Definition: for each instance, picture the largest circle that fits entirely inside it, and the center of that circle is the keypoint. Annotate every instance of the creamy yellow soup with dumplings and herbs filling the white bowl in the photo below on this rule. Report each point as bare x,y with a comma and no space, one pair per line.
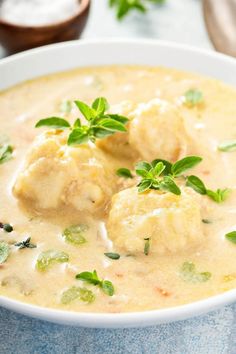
148,236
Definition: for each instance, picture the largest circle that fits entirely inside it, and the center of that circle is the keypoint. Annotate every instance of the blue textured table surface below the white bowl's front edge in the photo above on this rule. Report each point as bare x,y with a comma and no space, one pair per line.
210,334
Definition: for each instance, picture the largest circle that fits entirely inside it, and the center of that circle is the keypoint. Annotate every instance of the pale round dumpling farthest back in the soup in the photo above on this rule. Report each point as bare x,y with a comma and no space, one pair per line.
157,130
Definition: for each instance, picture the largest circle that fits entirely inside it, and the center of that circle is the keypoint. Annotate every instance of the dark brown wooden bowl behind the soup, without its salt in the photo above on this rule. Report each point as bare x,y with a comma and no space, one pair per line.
15,38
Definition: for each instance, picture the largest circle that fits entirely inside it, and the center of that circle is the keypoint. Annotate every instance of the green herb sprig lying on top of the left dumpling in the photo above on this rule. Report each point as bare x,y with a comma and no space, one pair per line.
99,123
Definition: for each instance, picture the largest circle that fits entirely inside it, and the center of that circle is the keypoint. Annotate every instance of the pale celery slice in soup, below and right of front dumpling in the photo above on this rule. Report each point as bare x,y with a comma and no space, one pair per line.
189,274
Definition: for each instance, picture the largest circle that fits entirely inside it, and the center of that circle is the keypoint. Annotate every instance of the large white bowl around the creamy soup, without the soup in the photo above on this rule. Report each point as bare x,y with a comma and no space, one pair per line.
65,56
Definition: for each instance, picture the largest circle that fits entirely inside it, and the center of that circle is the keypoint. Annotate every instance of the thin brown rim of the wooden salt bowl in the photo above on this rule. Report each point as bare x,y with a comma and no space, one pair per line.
83,6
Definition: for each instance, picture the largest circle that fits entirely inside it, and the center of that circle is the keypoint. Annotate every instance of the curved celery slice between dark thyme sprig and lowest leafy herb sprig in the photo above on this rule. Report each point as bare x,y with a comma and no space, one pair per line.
48,258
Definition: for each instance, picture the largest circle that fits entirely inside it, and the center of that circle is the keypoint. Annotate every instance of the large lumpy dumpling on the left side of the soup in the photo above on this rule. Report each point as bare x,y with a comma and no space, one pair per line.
56,175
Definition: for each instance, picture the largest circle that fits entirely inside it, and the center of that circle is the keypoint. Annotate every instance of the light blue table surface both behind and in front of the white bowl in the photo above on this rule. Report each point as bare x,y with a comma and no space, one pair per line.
181,21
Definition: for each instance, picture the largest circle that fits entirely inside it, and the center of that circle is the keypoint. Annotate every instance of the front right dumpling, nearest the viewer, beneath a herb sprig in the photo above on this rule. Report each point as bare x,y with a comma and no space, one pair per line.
171,222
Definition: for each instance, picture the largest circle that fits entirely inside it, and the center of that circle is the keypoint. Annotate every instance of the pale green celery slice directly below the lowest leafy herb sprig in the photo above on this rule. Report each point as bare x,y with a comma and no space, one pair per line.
75,293
